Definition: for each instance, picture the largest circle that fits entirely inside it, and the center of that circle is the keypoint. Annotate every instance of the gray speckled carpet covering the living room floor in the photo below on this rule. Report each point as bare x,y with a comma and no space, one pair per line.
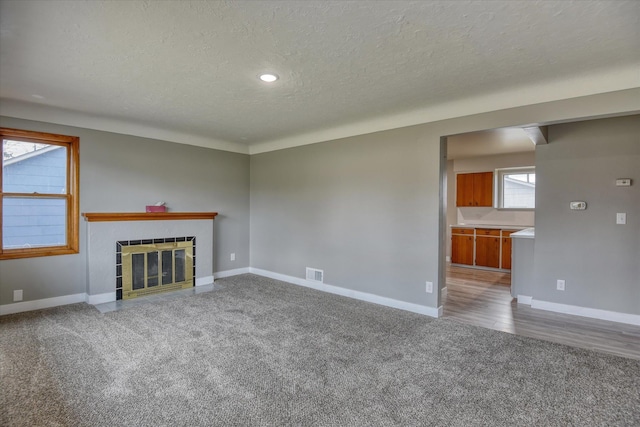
258,352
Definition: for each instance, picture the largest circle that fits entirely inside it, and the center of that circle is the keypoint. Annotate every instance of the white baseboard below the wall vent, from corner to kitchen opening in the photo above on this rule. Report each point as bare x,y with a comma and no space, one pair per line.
363,296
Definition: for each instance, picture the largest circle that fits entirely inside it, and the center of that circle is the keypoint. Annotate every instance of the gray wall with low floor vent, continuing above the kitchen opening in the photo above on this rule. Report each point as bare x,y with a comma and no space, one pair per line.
365,209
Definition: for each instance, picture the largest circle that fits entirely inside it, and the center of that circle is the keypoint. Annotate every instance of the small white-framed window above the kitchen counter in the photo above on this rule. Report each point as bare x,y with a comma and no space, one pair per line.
516,188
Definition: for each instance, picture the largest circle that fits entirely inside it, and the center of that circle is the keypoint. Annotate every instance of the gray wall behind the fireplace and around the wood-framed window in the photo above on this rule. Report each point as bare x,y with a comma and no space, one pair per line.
121,173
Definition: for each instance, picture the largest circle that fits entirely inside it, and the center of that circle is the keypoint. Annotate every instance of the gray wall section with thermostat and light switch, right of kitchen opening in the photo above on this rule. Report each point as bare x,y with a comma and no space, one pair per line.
599,260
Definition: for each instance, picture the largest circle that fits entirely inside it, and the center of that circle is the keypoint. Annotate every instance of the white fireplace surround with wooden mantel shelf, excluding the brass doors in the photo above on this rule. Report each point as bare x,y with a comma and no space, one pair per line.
105,229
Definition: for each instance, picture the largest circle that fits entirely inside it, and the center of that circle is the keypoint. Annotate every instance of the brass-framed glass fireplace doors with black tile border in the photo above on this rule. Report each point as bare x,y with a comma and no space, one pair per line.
150,266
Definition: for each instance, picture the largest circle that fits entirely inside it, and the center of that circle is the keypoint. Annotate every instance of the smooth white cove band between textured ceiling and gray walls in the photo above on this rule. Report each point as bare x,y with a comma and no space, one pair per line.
578,85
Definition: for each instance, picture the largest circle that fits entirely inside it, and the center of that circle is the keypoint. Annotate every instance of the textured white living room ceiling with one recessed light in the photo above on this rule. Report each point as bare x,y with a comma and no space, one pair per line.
186,71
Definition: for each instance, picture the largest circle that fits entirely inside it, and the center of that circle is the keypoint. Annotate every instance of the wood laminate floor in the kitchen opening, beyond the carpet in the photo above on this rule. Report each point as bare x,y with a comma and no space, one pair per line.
483,298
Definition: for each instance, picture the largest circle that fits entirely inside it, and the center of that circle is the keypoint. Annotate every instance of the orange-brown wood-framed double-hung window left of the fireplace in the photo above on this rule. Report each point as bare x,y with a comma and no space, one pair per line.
39,192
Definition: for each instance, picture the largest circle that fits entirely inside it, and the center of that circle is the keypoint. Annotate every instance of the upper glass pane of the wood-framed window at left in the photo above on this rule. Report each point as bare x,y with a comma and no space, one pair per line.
33,168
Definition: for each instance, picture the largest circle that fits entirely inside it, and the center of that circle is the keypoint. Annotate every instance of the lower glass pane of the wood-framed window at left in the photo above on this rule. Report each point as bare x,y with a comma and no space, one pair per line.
30,222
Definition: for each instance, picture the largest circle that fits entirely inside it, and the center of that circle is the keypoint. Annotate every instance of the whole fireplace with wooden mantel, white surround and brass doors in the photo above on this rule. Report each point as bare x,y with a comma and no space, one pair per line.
129,239
